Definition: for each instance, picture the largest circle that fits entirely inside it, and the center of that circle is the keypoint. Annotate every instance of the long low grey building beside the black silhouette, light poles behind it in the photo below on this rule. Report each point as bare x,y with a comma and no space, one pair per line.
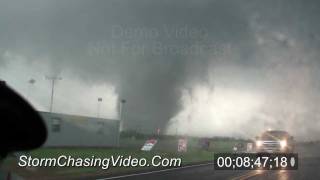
75,131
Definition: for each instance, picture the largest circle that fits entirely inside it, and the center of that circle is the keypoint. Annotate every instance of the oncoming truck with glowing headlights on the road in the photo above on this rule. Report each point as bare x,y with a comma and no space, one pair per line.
274,142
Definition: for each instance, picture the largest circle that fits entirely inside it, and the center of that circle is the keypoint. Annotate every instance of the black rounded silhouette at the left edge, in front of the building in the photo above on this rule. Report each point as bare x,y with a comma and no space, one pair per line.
21,127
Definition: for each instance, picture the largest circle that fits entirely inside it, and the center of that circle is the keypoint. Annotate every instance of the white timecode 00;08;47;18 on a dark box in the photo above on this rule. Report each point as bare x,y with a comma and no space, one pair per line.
250,161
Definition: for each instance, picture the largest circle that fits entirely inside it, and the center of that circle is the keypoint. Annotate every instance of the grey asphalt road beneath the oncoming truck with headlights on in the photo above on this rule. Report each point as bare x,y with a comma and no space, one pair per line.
309,168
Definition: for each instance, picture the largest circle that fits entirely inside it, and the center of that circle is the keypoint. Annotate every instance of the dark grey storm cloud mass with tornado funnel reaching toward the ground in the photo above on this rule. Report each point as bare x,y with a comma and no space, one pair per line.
146,48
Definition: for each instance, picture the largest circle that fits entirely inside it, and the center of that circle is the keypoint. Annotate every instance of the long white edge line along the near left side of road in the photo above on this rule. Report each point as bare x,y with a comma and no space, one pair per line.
156,171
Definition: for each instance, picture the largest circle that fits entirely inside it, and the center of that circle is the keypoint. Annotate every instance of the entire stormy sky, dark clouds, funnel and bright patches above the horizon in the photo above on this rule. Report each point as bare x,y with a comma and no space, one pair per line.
208,68
